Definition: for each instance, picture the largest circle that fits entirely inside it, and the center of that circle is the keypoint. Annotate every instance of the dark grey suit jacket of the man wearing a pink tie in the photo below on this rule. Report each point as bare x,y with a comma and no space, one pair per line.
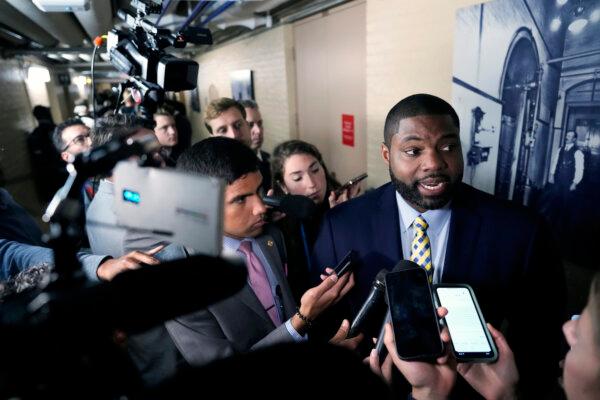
237,324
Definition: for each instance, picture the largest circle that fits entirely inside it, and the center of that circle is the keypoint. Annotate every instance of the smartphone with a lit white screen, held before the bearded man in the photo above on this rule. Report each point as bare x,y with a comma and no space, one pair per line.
471,340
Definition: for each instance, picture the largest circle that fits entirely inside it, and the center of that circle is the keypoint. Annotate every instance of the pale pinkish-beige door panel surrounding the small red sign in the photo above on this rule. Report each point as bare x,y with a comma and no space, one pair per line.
330,80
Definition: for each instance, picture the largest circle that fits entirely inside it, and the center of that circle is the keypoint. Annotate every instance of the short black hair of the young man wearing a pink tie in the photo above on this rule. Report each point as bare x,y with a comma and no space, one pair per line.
219,157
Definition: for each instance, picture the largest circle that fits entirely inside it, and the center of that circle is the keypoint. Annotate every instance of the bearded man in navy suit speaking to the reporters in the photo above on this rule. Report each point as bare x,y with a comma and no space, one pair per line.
502,250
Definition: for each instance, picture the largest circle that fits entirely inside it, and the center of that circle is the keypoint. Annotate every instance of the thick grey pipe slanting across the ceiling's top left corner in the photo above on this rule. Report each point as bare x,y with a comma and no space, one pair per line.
60,25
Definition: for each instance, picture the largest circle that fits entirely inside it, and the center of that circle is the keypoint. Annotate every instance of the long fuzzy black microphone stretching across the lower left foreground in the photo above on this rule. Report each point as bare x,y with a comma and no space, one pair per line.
134,300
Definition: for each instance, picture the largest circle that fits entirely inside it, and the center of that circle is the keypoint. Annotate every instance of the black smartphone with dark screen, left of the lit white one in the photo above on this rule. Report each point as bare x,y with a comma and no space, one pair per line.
414,317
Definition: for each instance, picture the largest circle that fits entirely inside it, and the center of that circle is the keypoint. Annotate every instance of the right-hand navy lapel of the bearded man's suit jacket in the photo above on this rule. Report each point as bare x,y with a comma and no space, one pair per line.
465,226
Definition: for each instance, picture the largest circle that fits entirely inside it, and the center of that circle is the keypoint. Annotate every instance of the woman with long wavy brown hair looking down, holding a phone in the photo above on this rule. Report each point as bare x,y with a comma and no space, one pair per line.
297,168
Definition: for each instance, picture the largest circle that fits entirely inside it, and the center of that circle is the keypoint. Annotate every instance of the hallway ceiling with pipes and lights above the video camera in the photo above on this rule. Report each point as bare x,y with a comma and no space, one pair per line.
64,39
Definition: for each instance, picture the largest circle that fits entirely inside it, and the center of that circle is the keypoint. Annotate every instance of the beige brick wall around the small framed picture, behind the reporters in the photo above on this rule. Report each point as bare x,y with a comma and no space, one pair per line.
269,56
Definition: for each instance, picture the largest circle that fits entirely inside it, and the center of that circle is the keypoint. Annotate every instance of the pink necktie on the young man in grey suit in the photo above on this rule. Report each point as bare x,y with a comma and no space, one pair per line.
259,281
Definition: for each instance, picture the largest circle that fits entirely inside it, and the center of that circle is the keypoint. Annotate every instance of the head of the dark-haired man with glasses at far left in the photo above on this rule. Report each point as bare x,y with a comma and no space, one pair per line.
71,137
